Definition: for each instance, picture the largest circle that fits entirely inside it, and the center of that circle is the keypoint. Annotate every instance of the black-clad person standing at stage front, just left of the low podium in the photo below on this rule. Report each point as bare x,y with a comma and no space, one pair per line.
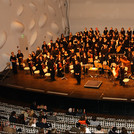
77,72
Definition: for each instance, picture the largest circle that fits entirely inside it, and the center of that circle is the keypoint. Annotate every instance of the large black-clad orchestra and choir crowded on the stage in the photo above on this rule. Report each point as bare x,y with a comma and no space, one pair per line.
83,48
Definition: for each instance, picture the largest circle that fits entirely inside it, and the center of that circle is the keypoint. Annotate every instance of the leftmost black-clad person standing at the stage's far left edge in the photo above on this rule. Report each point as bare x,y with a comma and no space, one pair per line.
13,59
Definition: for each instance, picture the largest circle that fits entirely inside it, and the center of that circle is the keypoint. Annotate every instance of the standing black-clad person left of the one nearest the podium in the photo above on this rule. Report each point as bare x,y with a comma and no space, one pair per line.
51,68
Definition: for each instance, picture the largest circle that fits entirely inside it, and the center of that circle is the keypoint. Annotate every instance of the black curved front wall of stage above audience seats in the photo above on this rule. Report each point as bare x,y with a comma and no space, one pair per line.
21,97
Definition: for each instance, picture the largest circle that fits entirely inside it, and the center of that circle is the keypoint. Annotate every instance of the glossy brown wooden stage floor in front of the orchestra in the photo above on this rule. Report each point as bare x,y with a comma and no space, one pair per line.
107,90
